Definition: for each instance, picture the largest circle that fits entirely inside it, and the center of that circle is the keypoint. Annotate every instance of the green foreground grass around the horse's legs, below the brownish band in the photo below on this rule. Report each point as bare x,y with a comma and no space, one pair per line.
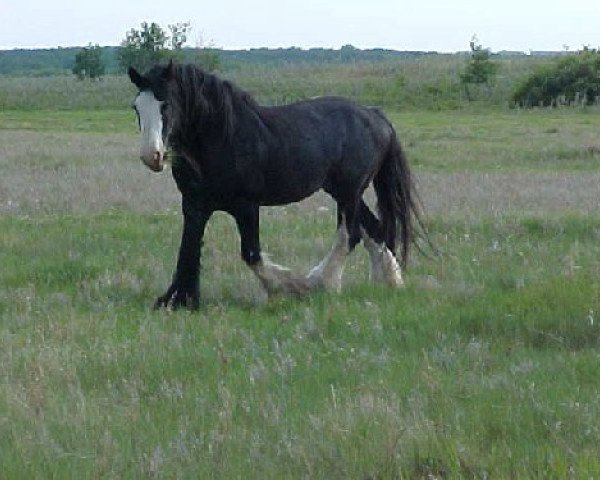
488,369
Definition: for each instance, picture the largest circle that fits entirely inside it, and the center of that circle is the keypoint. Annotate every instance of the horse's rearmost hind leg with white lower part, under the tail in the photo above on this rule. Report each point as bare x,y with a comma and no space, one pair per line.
384,264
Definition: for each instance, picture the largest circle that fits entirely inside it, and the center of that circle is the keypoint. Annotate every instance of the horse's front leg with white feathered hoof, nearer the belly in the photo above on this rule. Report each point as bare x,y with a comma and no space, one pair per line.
274,278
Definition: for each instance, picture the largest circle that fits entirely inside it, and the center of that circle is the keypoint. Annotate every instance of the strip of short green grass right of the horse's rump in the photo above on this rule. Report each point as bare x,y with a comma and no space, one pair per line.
499,141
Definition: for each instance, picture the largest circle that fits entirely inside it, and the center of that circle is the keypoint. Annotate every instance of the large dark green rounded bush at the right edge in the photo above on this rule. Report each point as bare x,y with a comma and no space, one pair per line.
574,78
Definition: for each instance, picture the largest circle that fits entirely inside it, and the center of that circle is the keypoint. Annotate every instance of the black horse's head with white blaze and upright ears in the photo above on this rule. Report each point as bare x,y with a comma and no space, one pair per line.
153,111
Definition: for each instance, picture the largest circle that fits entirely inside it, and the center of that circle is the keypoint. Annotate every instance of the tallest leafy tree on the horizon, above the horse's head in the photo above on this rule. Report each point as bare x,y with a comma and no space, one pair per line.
152,44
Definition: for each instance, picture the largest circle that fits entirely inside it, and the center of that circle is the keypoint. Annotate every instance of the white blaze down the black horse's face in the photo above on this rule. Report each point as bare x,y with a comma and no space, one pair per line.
152,149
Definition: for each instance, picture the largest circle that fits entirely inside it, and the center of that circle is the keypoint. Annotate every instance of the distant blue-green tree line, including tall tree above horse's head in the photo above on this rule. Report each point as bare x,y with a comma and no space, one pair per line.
151,43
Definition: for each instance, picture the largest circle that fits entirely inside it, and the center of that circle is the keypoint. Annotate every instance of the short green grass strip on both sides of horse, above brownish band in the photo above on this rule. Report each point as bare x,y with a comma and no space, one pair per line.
485,141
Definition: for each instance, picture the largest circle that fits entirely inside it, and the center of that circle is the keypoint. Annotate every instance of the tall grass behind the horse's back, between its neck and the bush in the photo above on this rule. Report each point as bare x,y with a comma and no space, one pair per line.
429,82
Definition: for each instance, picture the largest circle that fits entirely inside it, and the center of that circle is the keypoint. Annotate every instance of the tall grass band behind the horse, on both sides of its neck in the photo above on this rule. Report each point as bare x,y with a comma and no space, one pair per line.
429,82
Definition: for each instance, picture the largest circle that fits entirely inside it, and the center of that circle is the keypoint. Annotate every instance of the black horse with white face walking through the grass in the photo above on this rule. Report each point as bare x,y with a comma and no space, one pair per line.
233,155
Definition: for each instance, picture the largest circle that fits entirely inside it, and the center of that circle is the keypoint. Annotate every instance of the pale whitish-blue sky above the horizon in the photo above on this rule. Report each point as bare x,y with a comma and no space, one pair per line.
443,26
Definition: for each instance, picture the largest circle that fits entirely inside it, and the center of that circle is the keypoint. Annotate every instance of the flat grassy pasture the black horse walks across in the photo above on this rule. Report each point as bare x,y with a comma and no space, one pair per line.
484,366
